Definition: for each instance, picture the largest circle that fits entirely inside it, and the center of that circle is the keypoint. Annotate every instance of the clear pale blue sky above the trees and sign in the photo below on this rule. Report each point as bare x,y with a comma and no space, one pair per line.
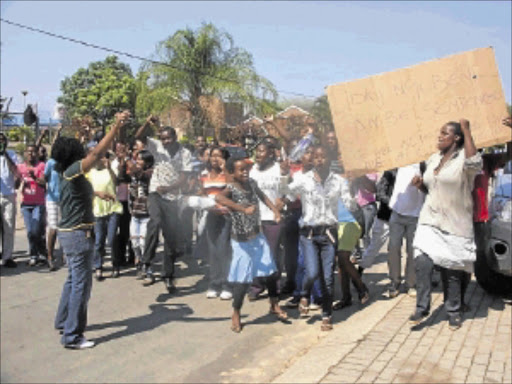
301,47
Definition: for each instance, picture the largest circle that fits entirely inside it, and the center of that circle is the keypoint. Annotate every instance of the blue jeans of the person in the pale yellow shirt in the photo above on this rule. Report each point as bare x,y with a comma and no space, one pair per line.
105,228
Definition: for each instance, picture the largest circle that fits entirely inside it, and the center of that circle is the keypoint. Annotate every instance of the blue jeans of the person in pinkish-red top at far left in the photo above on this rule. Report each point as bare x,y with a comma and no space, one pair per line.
34,217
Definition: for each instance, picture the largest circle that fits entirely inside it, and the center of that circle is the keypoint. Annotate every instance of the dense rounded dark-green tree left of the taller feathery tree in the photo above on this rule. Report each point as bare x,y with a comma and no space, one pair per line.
100,90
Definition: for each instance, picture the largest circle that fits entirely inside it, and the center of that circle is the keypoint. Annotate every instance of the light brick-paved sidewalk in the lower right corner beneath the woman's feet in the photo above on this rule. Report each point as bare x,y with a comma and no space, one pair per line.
393,351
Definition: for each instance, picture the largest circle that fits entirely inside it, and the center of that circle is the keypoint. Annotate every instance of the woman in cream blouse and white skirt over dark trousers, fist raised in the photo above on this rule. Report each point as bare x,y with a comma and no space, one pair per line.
445,236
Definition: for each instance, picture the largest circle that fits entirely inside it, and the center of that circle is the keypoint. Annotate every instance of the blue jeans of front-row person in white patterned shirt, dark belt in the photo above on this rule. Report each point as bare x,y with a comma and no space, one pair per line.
319,253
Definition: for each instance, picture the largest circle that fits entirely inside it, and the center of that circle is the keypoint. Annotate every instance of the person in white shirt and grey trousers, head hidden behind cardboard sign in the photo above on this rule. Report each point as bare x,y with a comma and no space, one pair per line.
406,202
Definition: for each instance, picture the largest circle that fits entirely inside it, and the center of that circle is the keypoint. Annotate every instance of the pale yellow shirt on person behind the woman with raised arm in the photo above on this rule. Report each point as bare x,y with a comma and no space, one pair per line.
102,182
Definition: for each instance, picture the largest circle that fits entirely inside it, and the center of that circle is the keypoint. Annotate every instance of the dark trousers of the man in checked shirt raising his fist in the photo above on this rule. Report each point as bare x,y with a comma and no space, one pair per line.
163,214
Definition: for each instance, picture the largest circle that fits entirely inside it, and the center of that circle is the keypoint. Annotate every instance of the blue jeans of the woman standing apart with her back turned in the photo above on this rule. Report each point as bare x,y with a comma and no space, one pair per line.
72,311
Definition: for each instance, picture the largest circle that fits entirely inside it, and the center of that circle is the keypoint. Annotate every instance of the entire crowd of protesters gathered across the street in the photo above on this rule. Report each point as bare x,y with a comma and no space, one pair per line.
280,216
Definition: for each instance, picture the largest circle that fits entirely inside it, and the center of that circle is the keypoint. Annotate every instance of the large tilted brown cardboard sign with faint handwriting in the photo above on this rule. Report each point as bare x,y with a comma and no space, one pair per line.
393,119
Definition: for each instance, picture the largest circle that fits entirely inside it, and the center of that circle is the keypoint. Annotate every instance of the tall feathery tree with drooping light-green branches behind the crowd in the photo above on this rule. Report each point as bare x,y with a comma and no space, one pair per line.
206,62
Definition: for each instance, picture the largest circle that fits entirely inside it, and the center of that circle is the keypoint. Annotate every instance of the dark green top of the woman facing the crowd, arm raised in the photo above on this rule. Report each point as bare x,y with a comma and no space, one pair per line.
76,196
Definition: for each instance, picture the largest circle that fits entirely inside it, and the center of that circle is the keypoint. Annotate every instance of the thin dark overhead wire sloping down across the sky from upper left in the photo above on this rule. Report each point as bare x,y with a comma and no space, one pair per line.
136,57
